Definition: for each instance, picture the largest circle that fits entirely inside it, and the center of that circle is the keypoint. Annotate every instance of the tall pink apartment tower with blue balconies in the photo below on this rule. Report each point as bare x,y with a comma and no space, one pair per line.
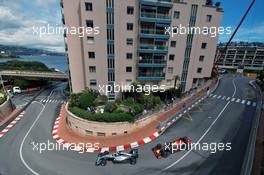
134,44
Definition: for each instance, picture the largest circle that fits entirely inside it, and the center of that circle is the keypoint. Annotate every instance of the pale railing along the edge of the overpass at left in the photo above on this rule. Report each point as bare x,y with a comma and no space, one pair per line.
34,74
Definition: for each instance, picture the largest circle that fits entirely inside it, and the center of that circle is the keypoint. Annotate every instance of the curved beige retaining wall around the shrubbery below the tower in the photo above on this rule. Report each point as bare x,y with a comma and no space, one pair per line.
91,128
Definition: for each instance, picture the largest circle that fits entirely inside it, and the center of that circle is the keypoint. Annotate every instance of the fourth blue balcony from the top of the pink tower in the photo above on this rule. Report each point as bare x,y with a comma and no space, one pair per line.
145,48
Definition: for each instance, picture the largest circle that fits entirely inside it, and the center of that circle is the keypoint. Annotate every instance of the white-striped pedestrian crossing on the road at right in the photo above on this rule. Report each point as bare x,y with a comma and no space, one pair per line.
235,100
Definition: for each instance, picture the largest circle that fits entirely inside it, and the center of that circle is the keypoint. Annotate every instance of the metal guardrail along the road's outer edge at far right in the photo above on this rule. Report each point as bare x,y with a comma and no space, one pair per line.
250,151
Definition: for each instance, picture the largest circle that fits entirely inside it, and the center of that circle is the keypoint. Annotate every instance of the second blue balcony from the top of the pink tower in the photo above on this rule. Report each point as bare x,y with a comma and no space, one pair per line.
155,17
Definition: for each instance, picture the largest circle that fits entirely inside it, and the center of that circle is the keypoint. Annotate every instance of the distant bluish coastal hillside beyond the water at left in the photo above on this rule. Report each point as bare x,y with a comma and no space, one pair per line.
19,50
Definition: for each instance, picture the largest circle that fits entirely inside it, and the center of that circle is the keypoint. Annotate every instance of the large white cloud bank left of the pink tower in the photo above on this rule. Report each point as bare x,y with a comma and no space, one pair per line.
18,30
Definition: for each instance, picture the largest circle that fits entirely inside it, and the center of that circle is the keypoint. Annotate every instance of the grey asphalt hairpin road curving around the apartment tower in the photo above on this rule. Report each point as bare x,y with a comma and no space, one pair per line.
224,117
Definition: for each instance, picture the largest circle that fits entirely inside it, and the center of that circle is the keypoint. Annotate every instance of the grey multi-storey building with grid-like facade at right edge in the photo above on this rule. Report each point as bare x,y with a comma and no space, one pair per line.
246,57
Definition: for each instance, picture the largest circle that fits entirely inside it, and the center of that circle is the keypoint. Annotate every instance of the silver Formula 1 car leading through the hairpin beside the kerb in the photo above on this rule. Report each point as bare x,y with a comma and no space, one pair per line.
118,157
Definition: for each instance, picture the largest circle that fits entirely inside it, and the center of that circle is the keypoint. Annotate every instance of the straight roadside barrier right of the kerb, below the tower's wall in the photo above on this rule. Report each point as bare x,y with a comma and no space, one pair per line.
187,106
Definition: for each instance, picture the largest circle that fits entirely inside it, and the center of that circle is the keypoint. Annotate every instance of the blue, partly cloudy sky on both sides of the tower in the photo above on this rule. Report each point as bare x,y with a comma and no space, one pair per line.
18,17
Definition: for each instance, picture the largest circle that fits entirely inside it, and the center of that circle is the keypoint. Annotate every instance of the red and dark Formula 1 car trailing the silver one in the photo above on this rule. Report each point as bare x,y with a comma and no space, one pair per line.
163,151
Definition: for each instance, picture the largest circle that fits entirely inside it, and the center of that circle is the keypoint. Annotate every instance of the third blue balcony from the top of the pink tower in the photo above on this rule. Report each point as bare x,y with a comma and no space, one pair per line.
153,33
